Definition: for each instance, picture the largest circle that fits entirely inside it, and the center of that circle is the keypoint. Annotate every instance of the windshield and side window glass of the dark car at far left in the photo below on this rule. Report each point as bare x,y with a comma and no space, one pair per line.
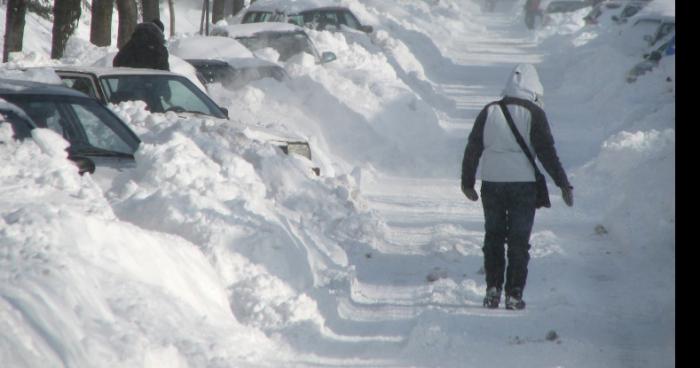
84,122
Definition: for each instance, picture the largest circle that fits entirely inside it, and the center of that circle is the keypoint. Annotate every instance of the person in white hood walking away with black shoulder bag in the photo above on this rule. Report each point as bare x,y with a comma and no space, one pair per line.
508,186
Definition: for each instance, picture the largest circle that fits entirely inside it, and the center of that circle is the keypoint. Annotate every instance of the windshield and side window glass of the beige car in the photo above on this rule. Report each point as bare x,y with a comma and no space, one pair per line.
161,93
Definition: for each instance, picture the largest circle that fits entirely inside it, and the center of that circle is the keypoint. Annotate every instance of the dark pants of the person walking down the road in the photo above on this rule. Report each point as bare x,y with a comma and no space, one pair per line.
509,213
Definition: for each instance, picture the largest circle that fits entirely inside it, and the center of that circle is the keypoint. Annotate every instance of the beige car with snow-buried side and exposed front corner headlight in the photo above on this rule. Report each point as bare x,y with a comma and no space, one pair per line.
164,91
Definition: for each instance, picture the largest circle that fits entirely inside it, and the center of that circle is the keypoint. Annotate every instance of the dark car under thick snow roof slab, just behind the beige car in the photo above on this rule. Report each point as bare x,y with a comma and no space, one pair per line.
224,60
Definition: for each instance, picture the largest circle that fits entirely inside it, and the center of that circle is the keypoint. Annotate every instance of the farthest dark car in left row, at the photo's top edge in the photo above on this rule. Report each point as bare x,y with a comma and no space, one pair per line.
319,15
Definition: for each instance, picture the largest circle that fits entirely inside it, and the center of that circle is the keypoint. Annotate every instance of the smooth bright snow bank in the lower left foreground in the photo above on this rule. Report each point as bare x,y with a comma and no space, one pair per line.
81,288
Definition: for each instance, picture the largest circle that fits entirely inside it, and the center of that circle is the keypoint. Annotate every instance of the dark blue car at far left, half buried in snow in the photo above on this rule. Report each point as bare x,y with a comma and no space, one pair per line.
97,137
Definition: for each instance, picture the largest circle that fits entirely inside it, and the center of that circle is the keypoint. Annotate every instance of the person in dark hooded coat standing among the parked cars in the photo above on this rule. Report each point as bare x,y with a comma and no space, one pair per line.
145,49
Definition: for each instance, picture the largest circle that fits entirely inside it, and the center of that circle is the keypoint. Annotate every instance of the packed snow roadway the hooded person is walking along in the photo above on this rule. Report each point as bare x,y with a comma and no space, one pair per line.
416,298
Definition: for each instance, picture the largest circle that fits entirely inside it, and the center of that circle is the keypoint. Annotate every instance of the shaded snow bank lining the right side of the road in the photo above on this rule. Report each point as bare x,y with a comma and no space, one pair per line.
627,130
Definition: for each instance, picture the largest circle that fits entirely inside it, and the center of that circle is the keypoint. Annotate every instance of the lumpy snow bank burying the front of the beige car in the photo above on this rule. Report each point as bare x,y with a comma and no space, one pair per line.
260,216
